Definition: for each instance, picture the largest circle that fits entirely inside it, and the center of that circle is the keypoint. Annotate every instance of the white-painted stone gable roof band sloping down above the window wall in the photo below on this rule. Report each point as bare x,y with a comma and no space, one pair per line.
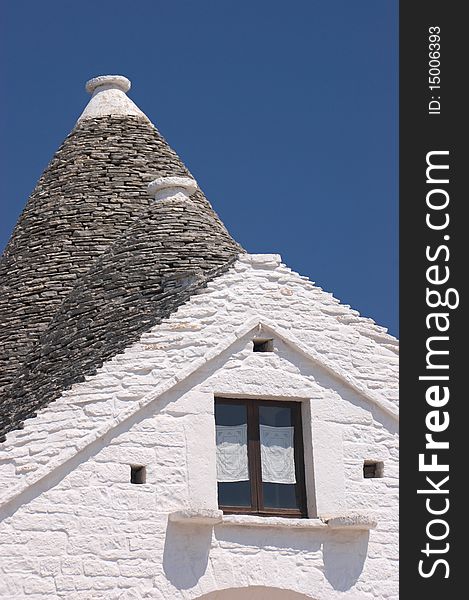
252,299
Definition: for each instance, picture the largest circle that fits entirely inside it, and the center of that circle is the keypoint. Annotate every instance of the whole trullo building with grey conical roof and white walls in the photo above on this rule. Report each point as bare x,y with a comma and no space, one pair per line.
181,419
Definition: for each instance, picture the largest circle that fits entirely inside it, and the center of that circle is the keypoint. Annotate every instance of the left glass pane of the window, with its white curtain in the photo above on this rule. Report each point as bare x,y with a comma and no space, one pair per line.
234,488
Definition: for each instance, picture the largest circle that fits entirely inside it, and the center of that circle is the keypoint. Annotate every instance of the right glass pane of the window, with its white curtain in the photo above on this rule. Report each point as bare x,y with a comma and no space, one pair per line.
277,456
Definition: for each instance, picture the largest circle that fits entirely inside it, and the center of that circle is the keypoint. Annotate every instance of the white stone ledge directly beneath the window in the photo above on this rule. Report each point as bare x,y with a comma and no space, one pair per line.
355,522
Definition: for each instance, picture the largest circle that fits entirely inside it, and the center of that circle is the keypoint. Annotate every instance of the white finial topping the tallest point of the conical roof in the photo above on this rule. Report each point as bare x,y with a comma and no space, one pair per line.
109,98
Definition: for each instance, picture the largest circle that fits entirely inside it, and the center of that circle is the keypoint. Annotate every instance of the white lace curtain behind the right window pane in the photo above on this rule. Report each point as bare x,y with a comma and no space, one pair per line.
277,454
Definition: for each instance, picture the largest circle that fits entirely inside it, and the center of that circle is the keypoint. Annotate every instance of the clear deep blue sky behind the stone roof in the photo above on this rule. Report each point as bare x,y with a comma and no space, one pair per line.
286,114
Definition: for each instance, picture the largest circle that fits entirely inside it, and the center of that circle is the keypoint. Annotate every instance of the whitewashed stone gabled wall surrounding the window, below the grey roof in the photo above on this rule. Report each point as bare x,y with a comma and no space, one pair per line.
74,527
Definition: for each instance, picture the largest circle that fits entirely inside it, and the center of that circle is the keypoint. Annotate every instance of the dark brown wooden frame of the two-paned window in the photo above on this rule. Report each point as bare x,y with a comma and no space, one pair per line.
254,460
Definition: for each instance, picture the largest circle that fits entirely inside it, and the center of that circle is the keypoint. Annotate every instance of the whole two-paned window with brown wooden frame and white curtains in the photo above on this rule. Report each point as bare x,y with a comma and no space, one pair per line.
260,466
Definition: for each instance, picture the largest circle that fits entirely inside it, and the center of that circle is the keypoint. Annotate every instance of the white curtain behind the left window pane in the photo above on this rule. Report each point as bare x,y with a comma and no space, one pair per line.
232,453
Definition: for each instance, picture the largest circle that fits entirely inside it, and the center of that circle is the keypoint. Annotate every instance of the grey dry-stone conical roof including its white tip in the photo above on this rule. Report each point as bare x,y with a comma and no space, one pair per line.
93,261
